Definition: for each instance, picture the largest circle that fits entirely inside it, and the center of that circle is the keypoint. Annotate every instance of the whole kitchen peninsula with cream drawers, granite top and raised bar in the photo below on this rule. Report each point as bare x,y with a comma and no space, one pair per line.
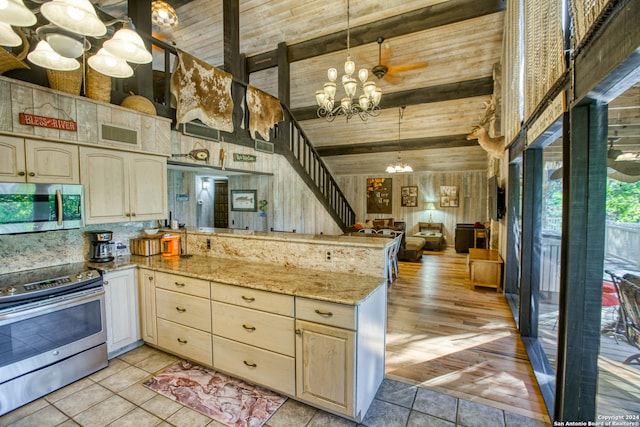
277,324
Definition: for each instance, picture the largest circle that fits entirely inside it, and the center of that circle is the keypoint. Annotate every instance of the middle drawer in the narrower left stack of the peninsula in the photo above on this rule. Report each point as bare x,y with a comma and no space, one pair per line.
184,309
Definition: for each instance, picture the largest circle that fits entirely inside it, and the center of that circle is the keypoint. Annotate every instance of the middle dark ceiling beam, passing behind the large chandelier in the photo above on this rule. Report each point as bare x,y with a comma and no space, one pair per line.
439,93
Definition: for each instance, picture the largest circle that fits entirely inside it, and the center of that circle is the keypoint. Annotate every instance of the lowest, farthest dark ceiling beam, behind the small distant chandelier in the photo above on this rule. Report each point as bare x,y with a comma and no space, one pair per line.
447,141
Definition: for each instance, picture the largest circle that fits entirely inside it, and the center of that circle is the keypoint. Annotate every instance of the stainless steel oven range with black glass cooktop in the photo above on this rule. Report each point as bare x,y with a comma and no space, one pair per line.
52,331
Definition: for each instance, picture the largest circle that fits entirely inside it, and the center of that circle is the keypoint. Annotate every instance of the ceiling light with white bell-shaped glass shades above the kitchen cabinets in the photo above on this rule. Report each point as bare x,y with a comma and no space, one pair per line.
65,38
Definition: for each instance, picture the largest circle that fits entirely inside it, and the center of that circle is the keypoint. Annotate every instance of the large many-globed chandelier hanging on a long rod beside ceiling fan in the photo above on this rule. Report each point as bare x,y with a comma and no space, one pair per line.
367,103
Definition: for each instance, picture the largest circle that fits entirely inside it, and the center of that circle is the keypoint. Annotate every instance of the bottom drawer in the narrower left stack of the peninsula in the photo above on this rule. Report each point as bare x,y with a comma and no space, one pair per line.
184,341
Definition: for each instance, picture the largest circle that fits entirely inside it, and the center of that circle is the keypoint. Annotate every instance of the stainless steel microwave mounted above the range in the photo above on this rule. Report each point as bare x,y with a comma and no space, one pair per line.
26,208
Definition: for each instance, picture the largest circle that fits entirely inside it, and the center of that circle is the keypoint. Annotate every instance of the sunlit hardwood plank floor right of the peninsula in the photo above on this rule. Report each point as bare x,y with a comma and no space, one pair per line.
445,336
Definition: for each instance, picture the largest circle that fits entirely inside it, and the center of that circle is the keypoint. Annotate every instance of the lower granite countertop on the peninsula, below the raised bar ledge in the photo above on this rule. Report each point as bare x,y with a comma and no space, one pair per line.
340,288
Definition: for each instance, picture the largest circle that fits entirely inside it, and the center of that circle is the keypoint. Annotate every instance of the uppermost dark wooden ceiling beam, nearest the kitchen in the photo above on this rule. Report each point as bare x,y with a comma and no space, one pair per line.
418,20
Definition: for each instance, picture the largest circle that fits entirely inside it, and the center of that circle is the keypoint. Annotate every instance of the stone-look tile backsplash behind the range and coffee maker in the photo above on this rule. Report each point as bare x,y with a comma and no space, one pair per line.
20,252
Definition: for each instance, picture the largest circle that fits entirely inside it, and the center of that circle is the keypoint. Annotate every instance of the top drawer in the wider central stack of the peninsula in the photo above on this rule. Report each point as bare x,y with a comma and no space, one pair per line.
253,298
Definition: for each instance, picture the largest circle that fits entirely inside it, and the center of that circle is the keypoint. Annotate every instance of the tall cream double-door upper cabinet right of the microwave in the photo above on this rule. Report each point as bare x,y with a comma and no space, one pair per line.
123,186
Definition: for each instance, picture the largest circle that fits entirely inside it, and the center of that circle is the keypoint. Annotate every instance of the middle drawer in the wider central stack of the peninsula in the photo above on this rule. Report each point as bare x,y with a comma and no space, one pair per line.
257,328
